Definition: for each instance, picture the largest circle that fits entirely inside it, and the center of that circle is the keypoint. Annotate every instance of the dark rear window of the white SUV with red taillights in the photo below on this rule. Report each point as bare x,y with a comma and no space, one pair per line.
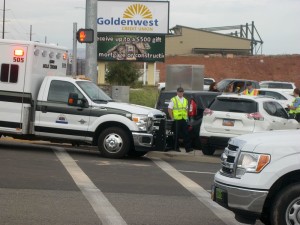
234,105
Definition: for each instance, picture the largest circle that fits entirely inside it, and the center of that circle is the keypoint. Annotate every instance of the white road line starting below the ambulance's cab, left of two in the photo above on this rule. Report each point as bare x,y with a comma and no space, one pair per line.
102,207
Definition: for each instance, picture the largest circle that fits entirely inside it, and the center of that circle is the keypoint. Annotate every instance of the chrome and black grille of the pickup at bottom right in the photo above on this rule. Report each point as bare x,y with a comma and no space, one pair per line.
228,160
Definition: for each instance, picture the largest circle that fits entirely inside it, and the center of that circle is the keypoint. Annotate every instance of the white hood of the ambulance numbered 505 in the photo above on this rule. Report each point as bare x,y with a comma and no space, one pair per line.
131,108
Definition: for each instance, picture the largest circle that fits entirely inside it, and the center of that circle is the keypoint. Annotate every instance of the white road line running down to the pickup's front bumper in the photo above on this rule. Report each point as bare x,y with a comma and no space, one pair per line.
225,215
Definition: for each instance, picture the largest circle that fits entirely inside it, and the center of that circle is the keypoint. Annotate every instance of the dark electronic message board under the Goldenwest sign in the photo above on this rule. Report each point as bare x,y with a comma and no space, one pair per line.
131,47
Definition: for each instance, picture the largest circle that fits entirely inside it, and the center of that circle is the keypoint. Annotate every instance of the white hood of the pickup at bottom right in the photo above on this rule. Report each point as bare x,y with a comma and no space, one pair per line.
265,141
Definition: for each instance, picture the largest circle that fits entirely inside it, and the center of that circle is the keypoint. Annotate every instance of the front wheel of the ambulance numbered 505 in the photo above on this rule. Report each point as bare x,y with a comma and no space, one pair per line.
114,143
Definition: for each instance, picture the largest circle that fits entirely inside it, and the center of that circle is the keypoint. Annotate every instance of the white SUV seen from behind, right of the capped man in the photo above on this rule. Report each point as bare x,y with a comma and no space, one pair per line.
232,115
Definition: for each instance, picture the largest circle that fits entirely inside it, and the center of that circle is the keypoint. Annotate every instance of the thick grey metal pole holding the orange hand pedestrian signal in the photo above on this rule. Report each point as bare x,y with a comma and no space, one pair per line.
91,49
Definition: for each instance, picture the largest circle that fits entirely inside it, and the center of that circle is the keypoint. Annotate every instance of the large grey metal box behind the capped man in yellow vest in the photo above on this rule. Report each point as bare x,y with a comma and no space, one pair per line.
189,77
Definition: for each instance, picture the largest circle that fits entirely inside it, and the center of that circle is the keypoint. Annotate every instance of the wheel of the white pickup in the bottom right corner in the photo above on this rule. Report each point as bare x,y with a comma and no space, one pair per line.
286,207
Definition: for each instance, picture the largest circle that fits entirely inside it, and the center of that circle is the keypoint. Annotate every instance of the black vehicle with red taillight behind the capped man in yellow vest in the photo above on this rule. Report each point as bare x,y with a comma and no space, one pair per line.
198,101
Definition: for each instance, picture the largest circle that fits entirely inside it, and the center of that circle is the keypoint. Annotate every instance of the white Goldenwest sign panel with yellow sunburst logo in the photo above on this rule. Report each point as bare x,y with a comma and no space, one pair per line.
133,17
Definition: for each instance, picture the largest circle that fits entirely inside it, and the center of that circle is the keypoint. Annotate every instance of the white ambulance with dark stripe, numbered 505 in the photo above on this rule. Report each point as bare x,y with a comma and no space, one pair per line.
39,102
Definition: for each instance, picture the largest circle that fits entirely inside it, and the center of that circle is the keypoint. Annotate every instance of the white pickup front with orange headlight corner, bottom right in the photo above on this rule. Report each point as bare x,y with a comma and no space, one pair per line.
260,177
